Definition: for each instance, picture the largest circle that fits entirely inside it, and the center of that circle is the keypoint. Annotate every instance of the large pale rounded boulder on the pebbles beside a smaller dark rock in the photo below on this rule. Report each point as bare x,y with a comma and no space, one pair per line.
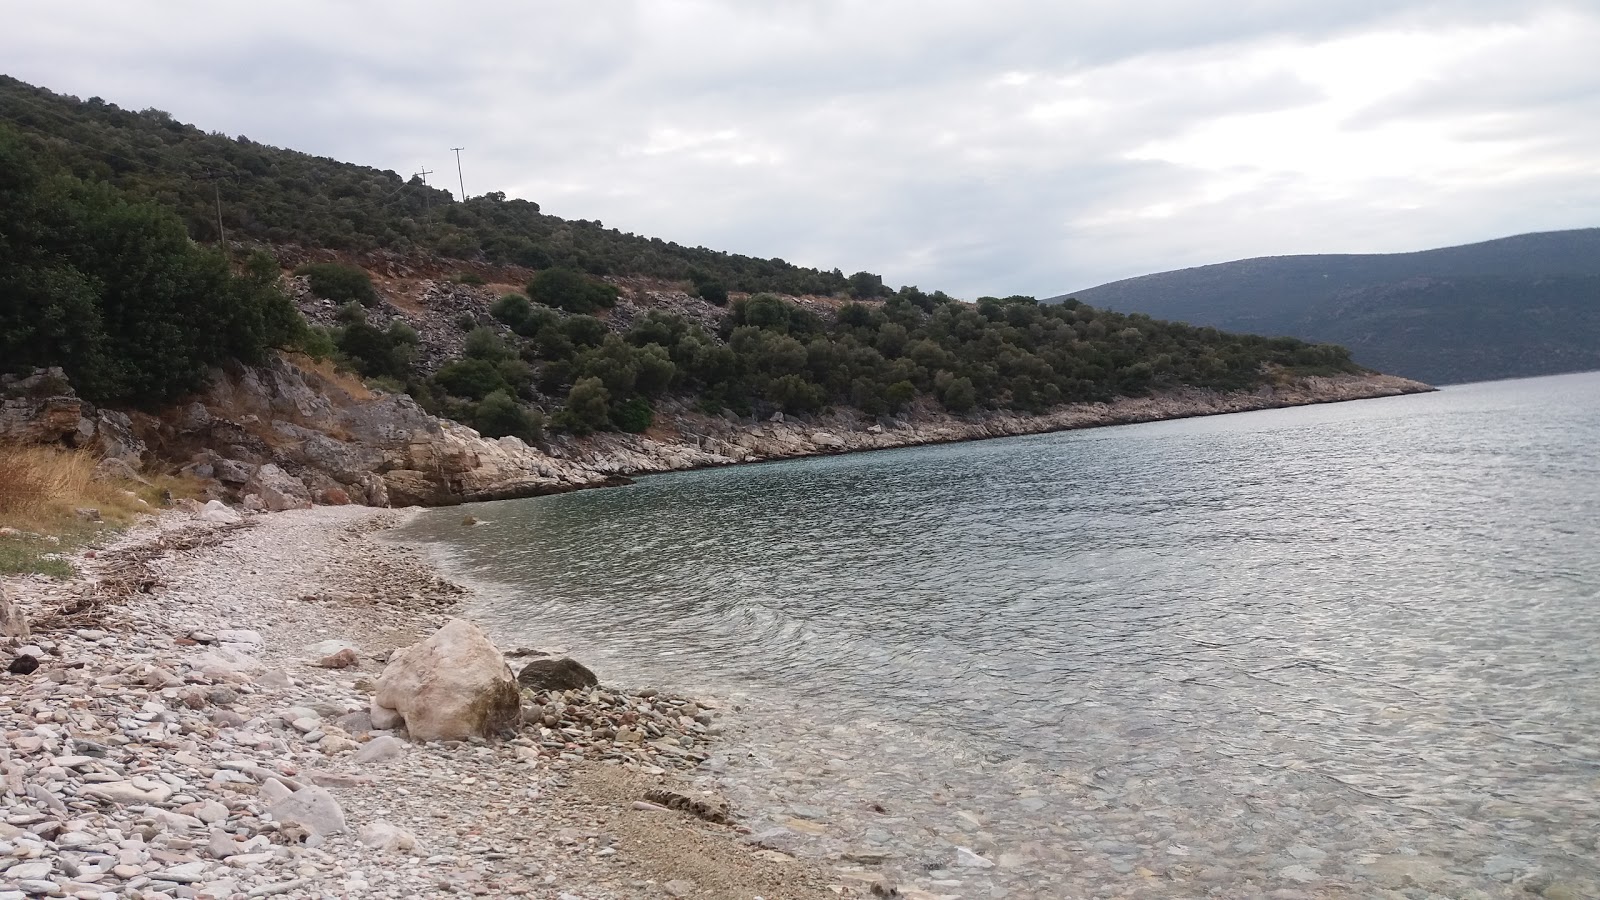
452,686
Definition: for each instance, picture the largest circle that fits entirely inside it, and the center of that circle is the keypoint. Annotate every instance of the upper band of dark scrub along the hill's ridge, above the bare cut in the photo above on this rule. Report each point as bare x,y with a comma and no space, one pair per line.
278,196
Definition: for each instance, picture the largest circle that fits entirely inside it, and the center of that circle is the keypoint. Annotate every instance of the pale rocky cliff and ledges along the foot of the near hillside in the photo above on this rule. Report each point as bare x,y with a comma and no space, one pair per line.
287,435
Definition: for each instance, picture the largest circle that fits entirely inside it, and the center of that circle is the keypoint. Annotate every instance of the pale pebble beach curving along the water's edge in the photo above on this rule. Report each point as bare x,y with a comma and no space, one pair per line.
188,733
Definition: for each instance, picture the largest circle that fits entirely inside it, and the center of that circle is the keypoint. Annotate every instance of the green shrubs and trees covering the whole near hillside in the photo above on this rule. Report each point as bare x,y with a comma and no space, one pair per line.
105,283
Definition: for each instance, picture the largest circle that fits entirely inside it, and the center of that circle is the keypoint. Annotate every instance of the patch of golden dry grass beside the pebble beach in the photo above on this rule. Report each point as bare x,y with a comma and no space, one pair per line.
44,488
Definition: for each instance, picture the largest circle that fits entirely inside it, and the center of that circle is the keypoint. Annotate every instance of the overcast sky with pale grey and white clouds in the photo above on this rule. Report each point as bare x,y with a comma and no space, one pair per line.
998,148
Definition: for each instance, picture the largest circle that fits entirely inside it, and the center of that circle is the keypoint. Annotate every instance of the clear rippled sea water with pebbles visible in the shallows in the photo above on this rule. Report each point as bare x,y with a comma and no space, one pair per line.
1346,651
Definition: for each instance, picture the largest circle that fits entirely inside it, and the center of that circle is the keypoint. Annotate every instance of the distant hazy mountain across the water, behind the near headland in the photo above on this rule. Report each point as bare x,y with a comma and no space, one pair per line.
1526,305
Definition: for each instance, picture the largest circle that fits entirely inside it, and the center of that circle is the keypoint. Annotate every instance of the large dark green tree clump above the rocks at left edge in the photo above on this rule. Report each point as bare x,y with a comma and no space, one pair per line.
116,294
